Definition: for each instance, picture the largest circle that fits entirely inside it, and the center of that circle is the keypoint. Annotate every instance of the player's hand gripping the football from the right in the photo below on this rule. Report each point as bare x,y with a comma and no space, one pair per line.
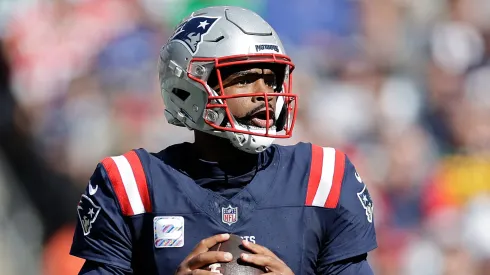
265,258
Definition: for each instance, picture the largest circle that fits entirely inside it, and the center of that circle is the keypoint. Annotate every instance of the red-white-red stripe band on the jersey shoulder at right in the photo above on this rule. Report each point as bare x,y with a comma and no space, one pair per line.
326,175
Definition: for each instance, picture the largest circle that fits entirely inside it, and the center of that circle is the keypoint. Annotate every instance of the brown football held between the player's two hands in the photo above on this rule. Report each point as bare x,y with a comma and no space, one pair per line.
236,266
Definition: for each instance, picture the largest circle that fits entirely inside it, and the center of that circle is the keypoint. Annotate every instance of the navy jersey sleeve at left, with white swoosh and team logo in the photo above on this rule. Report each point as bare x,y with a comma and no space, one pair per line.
101,235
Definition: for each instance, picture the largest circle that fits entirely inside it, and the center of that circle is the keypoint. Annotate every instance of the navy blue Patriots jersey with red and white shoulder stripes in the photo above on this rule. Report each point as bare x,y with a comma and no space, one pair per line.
308,205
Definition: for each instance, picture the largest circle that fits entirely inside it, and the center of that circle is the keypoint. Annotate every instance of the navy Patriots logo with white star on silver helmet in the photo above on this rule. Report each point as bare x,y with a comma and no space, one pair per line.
191,32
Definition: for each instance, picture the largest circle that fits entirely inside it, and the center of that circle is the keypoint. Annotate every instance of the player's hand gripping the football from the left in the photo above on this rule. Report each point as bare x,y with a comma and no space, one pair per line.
201,256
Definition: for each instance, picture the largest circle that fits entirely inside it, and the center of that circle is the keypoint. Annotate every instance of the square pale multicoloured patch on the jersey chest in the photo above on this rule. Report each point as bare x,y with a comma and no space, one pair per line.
168,231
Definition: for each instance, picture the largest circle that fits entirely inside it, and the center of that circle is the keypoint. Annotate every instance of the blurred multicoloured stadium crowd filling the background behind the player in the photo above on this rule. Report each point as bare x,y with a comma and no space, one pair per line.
399,85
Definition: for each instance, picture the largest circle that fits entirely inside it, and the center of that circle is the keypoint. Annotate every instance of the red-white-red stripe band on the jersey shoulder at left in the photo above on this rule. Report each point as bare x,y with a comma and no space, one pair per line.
129,183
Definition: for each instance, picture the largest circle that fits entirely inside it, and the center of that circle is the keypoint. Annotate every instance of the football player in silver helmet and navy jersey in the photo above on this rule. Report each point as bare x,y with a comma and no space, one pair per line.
299,209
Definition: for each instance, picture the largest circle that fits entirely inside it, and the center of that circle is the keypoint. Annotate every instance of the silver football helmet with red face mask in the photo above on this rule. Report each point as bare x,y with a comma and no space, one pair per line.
202,45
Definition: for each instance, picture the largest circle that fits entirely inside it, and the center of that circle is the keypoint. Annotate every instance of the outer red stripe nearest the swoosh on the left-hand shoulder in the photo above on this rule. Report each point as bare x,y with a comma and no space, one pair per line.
118,186
